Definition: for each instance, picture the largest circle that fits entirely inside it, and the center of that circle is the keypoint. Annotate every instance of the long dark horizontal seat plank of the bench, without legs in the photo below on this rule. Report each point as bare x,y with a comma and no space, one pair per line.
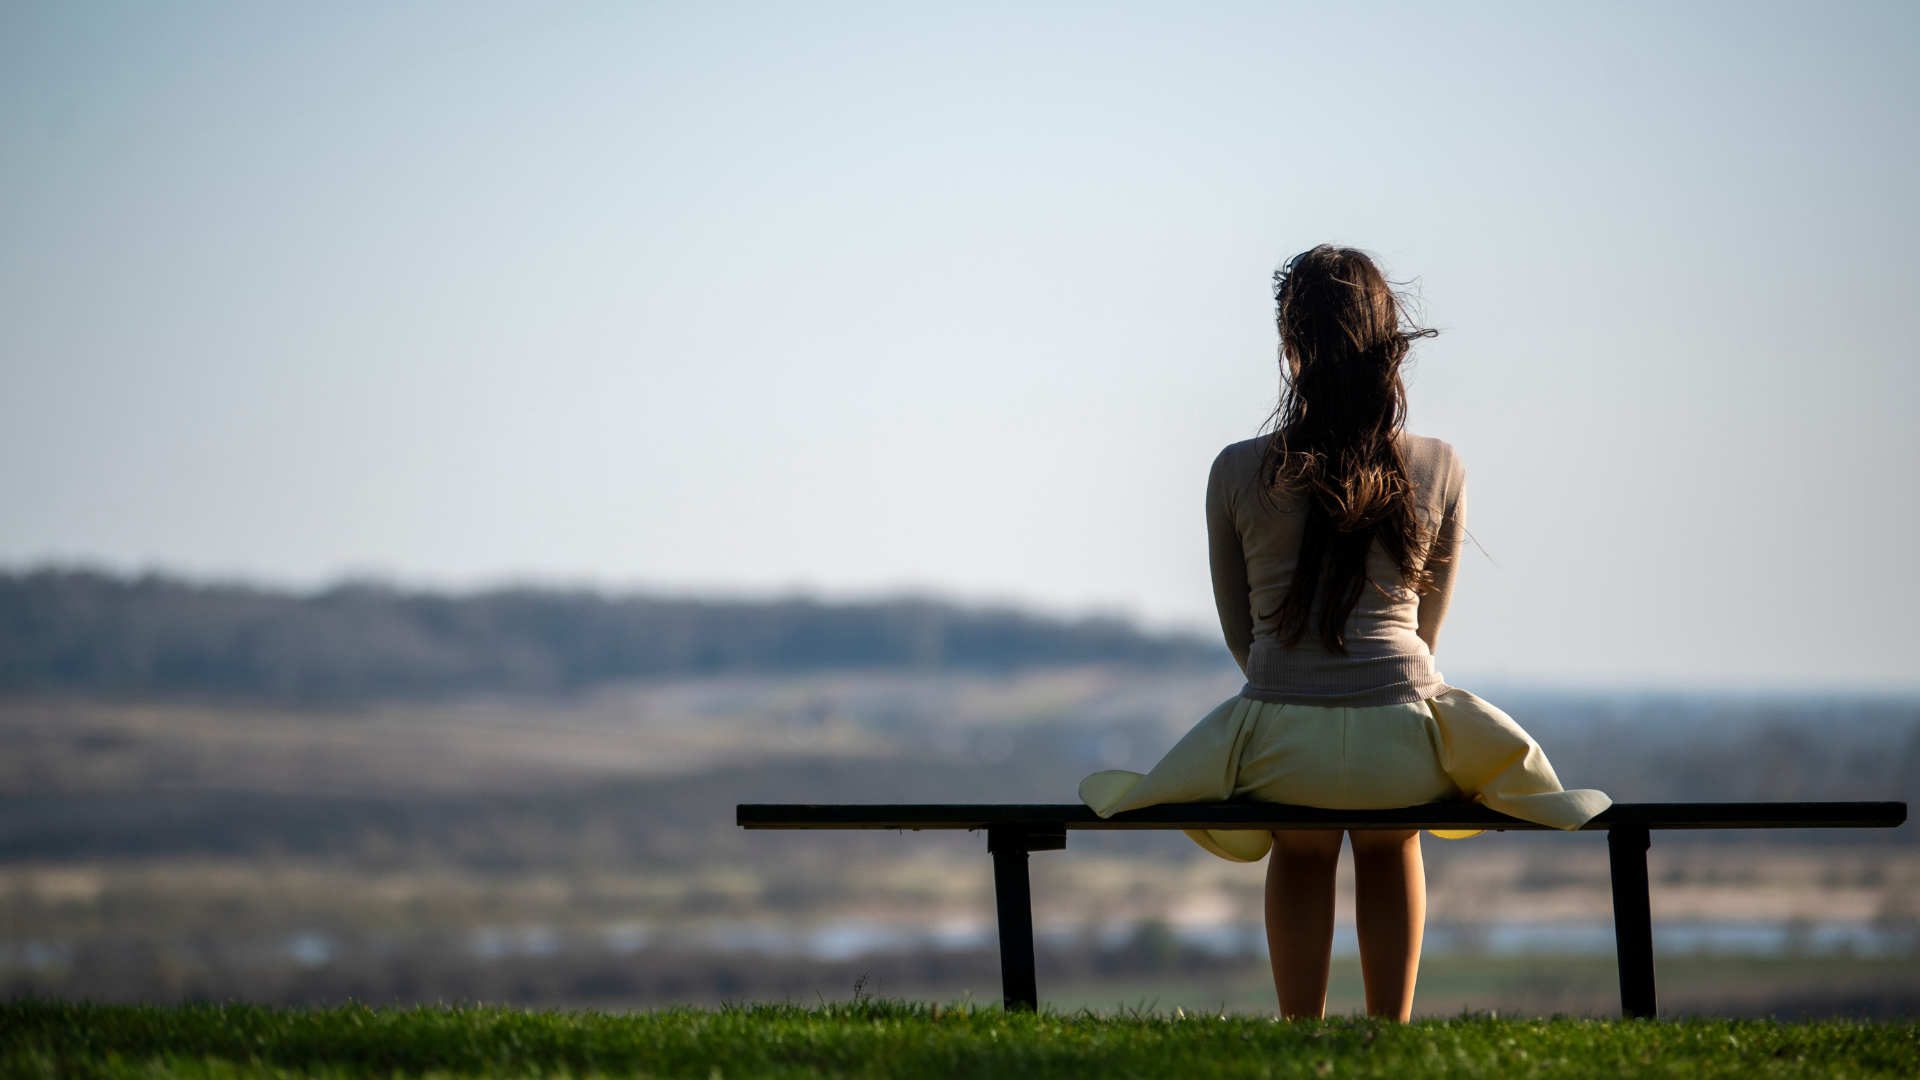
1274,816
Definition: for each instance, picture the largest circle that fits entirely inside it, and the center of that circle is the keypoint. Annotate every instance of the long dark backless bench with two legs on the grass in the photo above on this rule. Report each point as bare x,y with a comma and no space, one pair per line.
1015,831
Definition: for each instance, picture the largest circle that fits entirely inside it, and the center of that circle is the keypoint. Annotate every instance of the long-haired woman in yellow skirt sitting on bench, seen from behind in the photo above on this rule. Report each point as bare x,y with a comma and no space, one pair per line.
1335,543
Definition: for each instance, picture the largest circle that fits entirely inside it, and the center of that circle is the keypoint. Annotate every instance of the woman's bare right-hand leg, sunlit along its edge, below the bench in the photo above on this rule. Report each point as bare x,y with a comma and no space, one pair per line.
1391,914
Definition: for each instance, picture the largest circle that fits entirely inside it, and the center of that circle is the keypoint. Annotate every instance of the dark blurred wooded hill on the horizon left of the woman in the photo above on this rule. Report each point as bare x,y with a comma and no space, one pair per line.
105,633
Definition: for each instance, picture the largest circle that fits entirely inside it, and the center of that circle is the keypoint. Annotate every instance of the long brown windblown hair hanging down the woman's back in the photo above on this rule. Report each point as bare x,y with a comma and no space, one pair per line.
1335,435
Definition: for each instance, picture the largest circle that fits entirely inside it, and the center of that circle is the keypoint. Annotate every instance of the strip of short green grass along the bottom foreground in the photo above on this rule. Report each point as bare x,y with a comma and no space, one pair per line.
894,1039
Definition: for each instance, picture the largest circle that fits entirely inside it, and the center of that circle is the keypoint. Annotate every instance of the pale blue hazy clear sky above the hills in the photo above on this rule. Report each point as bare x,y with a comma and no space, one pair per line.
900,299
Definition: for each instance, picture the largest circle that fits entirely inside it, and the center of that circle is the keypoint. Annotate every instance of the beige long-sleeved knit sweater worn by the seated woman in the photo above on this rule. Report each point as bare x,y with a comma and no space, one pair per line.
1255,547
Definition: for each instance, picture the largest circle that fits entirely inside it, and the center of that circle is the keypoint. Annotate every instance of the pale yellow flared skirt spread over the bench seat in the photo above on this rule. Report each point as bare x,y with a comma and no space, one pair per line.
1449,749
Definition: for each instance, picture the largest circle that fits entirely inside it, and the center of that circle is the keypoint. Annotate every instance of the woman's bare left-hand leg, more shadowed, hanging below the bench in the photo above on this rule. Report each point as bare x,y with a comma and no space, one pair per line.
1301,918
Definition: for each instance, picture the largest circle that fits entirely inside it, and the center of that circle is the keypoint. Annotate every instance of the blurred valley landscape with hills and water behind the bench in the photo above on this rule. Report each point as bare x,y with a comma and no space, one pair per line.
527,797
